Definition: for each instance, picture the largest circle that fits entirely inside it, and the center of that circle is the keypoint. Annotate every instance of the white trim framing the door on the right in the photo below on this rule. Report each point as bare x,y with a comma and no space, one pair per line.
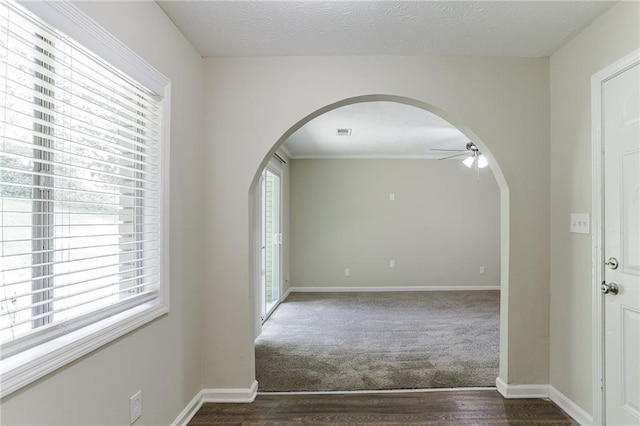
597,80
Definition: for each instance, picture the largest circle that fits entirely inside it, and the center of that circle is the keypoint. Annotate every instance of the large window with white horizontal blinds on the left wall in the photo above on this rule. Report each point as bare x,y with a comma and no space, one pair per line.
83,172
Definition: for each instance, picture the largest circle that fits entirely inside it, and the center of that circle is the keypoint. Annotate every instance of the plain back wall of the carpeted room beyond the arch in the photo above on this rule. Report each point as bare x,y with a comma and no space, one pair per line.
442,227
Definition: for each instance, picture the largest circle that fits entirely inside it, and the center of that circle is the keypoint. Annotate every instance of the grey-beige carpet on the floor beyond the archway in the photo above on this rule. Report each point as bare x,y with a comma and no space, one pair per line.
386,340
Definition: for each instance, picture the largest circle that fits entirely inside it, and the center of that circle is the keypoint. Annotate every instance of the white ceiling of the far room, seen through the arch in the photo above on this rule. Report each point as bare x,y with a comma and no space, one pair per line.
378,129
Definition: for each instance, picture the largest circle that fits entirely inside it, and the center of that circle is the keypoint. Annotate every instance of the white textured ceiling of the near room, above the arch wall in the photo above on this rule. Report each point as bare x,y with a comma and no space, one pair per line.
310,28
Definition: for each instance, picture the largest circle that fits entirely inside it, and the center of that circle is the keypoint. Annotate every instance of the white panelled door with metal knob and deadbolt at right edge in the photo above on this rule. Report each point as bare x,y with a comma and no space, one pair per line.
621,205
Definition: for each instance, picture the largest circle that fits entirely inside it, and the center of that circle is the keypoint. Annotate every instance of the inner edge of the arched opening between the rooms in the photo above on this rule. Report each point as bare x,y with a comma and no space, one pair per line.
504,197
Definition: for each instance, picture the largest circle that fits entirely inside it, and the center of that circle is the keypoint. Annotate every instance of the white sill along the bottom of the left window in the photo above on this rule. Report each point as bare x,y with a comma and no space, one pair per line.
28,366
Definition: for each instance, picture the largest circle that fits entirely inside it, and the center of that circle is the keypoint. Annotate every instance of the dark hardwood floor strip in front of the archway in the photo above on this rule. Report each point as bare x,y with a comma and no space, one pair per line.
473,407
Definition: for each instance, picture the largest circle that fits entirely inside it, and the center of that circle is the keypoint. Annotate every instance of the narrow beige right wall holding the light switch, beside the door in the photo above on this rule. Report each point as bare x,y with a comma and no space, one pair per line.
609,38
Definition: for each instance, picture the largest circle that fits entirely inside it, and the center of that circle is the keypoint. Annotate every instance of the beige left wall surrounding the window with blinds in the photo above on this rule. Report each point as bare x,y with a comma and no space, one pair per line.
163,358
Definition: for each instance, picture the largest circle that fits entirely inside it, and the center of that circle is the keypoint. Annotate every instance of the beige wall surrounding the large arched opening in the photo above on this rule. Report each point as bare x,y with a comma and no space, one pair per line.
250,103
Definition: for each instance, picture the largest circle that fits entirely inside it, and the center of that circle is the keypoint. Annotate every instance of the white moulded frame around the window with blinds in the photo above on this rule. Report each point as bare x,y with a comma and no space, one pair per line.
25,367
